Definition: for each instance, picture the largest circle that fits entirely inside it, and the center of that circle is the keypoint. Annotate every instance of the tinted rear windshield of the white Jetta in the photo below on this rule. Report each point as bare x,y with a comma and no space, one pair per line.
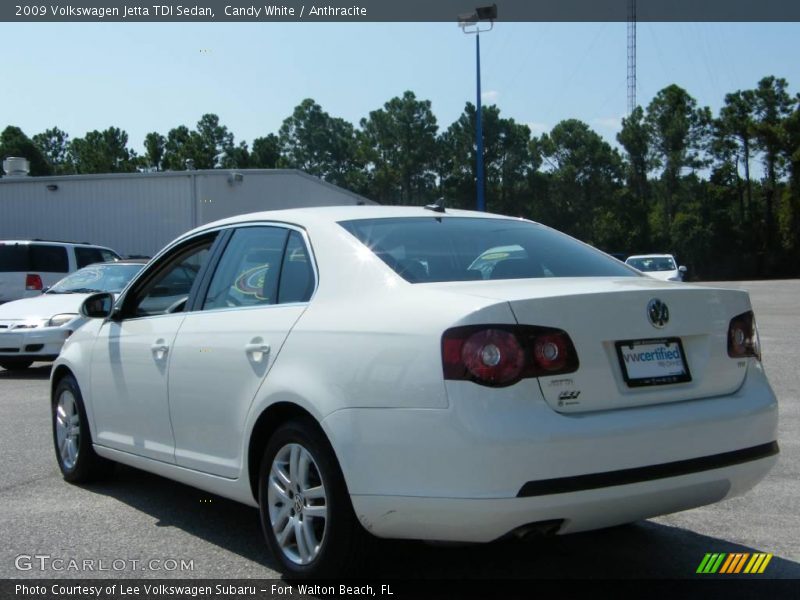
428,249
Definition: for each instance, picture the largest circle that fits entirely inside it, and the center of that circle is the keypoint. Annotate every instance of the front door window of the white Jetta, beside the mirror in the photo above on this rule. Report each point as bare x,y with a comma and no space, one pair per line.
169,288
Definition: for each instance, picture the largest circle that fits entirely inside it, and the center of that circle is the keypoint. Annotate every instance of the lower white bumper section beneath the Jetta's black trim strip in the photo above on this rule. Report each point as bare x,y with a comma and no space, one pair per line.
484,520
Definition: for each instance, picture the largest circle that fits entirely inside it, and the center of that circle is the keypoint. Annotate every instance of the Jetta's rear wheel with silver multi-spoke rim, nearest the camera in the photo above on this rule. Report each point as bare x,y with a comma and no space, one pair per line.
306,513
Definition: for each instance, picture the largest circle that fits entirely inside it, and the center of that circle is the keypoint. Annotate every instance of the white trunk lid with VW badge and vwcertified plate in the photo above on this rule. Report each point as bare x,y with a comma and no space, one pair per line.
619,347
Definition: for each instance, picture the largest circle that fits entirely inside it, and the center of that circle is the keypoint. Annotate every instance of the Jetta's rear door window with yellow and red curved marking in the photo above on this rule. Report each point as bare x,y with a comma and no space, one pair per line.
247,274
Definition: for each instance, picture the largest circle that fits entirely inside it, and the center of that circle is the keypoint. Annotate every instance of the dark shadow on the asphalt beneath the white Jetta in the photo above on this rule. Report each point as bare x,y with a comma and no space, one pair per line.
645,549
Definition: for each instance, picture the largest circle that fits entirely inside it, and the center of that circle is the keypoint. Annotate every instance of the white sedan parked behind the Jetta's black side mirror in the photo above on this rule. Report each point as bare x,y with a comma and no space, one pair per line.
34,329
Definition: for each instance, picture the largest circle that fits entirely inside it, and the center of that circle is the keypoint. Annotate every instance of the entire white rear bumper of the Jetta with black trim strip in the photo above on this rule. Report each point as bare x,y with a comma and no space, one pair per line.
485,466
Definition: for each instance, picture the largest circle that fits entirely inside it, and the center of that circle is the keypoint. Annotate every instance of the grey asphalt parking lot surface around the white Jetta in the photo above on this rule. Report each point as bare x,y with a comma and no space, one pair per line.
136,518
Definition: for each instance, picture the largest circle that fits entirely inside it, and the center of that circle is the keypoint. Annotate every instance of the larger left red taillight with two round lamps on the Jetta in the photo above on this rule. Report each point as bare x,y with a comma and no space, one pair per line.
501,355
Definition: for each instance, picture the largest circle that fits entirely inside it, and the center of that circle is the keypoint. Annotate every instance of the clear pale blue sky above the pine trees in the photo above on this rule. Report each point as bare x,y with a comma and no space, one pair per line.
156,76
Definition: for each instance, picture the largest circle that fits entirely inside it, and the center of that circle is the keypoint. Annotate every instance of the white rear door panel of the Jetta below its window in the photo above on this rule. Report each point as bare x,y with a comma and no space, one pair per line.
214,377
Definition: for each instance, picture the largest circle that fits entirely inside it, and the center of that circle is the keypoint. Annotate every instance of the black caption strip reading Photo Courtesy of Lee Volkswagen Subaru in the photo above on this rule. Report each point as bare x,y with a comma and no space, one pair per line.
276,589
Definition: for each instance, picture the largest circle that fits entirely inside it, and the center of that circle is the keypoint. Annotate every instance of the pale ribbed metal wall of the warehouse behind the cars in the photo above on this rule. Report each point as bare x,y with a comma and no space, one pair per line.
139,213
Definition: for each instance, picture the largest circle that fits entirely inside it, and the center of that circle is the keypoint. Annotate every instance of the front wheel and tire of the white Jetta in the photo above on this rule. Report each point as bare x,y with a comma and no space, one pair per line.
71,436
